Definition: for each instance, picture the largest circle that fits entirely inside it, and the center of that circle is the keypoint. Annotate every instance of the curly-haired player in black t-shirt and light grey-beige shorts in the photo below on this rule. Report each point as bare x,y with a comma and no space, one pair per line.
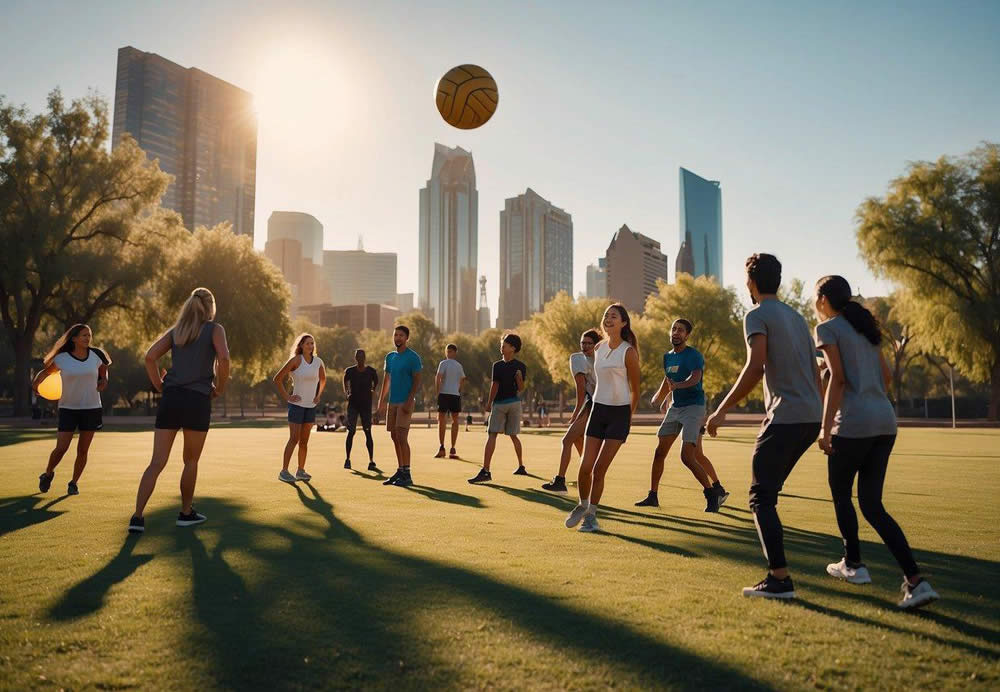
504,405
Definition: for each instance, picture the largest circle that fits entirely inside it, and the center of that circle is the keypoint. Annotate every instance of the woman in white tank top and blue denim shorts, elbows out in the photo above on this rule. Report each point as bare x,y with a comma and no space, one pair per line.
308,375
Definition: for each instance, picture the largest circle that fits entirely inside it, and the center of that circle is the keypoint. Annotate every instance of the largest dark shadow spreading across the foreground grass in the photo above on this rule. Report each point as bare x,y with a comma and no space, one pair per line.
304,611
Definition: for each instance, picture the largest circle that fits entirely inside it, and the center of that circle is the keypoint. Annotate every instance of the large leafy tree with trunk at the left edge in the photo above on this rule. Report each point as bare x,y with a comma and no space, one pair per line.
77,223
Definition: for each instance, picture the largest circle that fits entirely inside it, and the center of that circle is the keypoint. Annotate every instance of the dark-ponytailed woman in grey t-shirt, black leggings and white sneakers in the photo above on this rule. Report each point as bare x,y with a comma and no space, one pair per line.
859,431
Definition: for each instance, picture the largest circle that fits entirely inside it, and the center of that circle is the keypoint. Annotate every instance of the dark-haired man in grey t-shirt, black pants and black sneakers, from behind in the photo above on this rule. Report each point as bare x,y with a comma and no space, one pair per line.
780,349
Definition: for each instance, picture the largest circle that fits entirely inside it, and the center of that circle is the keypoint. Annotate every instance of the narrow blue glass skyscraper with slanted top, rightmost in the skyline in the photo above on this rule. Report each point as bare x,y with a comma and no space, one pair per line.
701,223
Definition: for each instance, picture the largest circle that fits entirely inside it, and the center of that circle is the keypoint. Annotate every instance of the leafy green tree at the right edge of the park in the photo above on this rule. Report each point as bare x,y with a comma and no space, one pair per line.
937,234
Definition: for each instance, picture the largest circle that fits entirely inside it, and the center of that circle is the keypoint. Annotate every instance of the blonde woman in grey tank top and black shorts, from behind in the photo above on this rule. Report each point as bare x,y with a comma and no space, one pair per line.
198,373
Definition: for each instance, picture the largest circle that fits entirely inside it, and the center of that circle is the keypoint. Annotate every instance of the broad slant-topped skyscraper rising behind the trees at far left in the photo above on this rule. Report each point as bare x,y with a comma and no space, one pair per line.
203,131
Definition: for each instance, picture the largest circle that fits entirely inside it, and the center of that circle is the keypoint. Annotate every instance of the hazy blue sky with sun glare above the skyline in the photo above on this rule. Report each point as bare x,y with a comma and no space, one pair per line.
801,109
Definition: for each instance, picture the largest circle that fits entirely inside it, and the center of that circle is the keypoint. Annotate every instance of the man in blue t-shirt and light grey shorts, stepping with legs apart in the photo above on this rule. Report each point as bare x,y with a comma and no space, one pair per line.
683,368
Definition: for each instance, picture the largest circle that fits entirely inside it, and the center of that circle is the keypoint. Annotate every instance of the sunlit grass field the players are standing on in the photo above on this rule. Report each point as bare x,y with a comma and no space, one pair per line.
344,583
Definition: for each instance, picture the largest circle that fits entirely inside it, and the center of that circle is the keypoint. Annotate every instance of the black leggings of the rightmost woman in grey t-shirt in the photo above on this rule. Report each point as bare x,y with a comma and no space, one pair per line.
868,457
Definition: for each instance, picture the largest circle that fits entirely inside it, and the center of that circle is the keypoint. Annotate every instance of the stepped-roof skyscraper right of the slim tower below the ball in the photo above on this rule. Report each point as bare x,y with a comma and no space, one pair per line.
536,256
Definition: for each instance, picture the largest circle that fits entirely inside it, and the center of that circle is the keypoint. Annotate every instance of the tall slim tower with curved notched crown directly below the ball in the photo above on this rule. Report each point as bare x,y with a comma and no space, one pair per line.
449,241
